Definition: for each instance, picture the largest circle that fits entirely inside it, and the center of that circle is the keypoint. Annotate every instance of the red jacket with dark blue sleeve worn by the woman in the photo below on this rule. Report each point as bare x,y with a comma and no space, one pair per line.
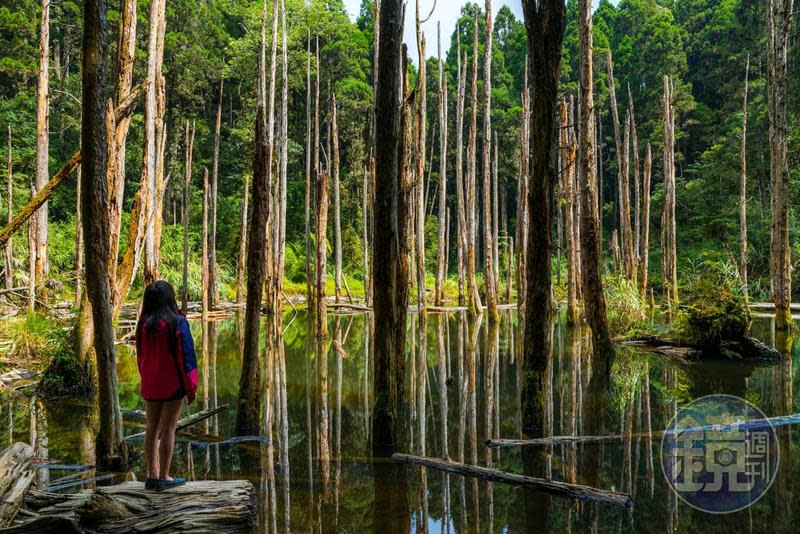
167,376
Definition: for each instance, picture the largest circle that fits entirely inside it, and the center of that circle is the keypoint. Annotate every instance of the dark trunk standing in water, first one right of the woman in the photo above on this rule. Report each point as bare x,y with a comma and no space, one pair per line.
249,414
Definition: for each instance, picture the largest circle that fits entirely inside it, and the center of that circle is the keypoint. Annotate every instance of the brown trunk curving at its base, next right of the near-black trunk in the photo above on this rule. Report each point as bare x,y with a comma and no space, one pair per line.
593,298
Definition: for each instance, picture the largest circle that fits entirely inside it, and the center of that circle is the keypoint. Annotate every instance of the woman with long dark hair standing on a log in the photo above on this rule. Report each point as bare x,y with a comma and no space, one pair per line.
168,369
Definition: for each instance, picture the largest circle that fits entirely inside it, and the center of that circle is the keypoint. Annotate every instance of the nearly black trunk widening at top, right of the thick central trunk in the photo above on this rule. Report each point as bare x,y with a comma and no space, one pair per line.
544,22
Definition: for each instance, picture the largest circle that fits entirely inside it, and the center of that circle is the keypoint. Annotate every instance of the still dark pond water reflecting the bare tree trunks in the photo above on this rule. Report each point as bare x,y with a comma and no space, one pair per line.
462,380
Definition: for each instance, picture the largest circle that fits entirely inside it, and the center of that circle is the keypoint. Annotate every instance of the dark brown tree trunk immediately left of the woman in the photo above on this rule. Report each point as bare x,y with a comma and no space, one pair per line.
111,450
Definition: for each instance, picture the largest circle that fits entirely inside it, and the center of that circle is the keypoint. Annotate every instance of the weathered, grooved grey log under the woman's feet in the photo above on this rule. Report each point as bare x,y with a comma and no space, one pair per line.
208,506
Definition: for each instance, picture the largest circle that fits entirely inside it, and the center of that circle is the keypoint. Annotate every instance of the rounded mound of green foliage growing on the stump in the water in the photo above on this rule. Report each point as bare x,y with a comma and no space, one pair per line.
713,306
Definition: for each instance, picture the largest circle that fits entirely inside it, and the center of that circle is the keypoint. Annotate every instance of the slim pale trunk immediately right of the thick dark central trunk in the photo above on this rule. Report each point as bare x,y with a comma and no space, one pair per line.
419,178
